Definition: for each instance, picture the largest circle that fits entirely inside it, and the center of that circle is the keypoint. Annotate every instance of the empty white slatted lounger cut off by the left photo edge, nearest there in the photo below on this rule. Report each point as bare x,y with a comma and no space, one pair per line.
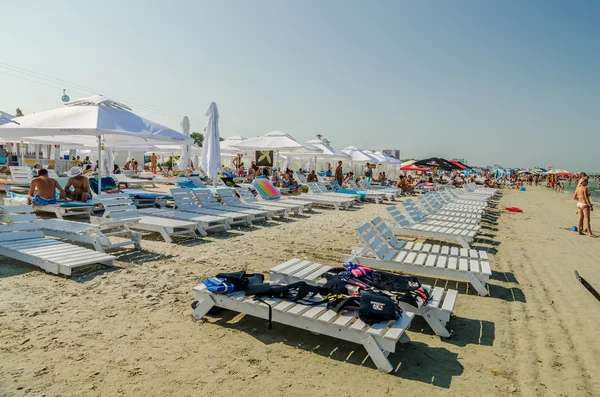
22,238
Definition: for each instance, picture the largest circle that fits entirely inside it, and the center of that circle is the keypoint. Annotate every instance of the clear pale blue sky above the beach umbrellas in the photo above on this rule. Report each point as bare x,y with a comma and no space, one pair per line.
509,82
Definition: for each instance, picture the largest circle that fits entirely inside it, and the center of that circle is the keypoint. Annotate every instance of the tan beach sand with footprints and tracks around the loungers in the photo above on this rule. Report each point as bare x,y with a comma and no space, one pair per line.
130,331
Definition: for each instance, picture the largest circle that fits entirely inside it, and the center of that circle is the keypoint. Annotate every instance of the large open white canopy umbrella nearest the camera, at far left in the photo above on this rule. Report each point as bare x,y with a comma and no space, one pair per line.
83,120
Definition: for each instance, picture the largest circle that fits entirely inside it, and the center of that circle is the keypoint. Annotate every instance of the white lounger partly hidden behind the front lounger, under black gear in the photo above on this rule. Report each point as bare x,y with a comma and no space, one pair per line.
436,312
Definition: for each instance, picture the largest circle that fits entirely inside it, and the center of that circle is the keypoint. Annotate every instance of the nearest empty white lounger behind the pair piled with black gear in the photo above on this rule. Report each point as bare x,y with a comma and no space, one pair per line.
385,251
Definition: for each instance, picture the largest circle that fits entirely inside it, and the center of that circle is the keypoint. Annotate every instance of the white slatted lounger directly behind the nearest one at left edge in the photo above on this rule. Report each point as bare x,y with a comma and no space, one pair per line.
97,235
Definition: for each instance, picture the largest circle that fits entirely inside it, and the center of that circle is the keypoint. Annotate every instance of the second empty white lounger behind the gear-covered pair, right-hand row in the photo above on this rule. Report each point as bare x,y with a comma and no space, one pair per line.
443,231
